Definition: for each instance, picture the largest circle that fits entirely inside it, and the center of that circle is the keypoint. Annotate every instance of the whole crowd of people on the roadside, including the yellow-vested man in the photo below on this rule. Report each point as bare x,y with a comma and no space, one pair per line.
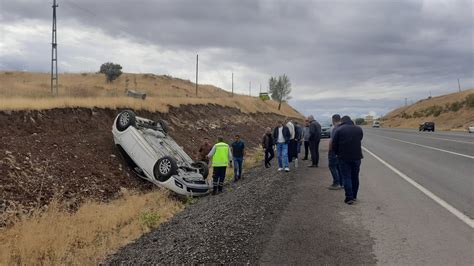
344,153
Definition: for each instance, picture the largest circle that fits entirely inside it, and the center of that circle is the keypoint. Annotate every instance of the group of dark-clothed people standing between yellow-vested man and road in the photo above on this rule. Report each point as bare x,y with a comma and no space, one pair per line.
344,154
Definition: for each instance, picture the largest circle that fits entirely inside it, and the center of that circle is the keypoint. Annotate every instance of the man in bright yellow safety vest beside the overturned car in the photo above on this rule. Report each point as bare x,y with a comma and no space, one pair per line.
220,156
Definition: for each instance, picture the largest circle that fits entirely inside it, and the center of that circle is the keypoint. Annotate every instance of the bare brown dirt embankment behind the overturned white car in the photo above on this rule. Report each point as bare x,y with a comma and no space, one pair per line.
68,154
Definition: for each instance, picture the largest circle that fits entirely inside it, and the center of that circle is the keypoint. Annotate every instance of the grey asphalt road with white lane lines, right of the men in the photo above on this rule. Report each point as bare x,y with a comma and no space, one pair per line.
408,226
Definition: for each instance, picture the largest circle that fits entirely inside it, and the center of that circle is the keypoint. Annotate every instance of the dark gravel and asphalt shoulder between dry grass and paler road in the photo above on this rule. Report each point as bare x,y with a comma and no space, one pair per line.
268,218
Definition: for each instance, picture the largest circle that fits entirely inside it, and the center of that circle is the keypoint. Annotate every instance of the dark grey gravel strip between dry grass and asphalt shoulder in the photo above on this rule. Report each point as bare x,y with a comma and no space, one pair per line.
232,227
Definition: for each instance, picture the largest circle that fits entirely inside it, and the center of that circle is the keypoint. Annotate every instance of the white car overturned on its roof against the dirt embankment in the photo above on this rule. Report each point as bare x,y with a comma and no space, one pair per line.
153,155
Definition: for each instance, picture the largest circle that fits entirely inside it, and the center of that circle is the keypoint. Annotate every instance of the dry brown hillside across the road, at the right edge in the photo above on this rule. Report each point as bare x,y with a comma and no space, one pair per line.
453,111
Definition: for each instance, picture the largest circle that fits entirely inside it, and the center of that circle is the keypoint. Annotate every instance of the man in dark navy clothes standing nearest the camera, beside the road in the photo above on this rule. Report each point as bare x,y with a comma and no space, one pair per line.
347,145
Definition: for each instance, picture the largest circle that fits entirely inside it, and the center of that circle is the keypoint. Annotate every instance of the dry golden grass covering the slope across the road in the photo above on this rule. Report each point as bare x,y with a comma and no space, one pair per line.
449,120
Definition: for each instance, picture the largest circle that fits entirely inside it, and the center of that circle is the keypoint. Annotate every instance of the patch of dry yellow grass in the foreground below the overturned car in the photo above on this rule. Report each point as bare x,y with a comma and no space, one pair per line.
86,236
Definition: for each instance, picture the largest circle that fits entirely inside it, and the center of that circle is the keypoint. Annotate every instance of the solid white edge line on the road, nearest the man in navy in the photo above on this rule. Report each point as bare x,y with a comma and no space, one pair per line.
467,220
